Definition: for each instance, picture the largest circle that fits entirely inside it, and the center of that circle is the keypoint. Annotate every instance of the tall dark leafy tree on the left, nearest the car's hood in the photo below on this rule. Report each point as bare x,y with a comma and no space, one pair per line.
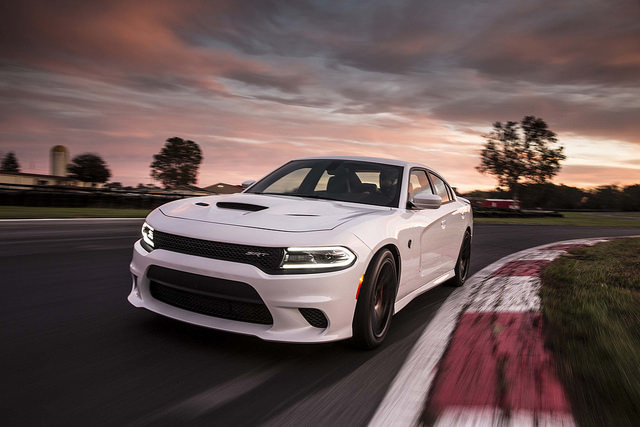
177,163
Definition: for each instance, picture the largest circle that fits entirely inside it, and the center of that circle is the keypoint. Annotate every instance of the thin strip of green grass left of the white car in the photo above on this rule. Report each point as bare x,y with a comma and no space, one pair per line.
7,212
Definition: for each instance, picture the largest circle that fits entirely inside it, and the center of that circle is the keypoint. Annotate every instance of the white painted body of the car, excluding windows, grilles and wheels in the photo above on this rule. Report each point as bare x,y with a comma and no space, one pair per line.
426,243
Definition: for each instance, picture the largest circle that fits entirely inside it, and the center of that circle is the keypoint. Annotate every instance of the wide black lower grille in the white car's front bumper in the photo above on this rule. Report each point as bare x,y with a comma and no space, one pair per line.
212,296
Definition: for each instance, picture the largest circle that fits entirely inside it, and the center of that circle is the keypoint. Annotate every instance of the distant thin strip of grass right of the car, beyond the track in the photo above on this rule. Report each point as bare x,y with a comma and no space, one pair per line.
570,218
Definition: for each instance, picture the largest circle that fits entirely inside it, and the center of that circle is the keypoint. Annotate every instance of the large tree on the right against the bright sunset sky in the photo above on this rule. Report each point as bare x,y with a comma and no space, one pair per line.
524,150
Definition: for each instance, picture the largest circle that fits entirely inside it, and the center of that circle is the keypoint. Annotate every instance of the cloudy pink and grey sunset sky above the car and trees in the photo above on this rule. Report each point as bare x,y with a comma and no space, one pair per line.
257,83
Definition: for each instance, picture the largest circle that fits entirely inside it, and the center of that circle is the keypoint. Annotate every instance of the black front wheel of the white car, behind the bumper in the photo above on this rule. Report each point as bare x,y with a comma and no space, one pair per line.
376,301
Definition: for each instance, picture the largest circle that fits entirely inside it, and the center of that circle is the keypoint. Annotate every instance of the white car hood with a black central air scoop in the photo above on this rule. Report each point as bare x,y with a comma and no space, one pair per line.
269,212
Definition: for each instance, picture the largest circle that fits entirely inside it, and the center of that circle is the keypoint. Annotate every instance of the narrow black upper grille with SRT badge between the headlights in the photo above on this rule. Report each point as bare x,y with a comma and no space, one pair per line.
267,259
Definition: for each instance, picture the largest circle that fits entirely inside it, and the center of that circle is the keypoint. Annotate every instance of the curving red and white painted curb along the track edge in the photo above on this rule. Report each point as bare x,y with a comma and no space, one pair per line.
482,360
